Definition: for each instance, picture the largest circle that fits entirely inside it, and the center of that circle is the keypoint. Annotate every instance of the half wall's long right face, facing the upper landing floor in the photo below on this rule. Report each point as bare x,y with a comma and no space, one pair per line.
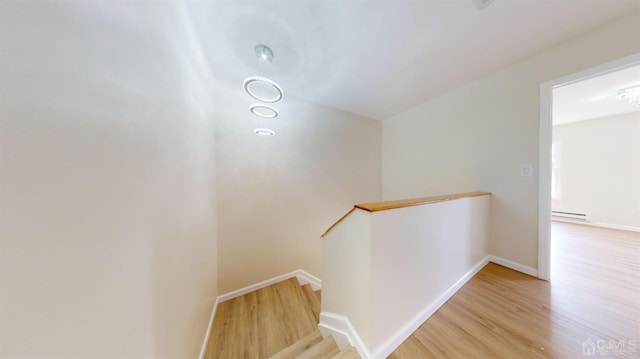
418,253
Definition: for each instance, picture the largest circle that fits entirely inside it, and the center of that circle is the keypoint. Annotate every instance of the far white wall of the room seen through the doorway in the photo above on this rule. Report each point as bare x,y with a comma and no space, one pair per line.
599,169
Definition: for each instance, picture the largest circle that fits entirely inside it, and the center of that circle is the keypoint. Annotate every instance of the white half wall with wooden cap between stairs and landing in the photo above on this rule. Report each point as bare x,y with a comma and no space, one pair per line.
388,266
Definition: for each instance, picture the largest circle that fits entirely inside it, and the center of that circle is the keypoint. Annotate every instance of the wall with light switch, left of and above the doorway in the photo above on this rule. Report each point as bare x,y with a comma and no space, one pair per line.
475,137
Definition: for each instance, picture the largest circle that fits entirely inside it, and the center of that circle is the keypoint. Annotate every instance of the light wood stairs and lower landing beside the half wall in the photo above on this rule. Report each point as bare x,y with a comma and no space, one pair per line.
276,322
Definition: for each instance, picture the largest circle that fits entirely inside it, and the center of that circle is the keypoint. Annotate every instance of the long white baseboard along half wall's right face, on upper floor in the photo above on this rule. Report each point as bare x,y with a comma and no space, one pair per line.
394,342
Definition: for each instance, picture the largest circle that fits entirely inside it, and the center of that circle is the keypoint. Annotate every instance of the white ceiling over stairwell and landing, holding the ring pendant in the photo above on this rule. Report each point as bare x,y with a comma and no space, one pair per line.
378,58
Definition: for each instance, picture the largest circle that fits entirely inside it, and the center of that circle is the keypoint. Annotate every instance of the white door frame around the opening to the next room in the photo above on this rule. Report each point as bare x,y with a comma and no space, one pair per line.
544,181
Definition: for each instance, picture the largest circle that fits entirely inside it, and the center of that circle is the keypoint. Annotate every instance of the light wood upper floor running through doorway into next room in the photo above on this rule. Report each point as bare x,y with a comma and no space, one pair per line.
594,294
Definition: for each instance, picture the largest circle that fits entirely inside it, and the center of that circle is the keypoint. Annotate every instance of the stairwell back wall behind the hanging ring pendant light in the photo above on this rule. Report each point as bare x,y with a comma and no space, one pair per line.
277,195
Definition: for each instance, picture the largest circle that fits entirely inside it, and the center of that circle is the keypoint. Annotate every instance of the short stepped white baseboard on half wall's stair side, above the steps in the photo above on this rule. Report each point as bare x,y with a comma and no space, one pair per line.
343,333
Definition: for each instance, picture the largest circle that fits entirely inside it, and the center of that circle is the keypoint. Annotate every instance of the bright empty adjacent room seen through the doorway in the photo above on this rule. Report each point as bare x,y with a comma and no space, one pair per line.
595,191
